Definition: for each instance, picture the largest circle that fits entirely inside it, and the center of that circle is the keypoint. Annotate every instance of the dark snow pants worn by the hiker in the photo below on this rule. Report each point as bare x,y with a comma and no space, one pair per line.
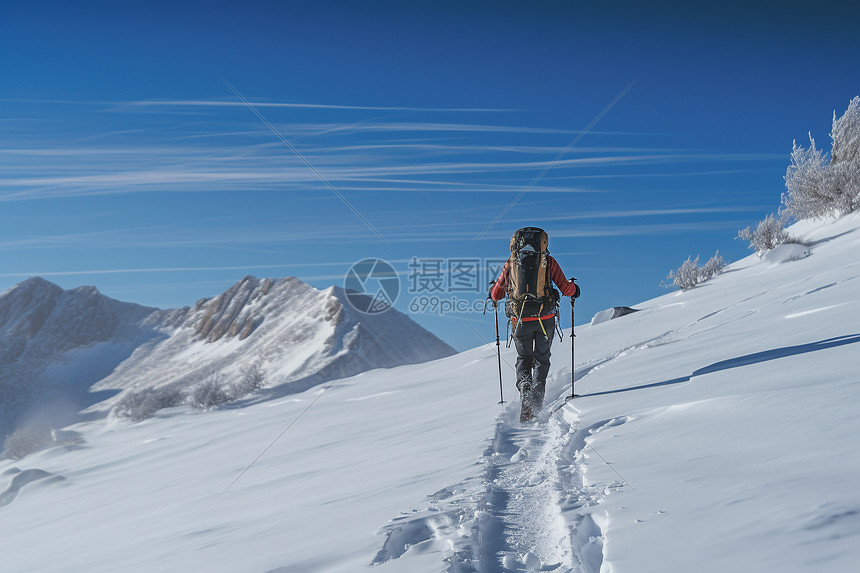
533,350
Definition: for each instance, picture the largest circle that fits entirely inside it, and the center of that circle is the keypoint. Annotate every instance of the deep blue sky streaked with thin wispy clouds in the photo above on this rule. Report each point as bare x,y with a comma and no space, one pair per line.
129,163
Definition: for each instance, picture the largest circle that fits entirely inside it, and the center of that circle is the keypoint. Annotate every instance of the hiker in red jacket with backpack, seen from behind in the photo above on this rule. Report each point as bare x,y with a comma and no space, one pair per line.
532,306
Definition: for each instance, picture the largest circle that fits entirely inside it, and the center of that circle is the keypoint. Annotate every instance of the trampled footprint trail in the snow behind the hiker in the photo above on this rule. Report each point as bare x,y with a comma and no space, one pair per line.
529,510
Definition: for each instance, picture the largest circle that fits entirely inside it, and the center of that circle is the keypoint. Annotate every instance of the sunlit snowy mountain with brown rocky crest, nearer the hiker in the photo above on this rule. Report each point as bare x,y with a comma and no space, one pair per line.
302,336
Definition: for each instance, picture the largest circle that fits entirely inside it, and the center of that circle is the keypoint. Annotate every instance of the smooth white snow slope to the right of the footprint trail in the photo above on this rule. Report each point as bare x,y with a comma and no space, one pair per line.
731,412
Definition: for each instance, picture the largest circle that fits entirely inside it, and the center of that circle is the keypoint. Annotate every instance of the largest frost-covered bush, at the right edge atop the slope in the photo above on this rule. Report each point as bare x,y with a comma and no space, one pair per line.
817,188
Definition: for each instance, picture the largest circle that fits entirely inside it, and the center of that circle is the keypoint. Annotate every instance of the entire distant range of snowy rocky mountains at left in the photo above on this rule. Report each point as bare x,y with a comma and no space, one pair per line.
81,349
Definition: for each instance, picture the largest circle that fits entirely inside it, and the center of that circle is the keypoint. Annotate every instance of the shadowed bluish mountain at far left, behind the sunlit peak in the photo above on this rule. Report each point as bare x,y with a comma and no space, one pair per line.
56,343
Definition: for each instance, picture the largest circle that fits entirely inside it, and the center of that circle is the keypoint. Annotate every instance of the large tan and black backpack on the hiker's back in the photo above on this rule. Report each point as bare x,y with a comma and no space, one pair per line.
529,289
